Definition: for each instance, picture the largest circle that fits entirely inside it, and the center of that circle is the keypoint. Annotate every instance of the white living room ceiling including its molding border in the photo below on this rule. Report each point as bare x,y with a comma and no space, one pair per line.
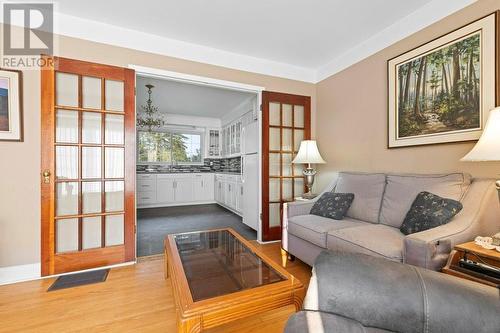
306,40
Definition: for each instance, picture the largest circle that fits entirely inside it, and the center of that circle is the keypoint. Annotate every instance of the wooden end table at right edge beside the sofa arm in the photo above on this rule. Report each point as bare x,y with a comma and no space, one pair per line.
478,254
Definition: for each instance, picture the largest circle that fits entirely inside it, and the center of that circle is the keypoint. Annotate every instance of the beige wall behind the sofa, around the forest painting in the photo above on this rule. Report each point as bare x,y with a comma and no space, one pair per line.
352,115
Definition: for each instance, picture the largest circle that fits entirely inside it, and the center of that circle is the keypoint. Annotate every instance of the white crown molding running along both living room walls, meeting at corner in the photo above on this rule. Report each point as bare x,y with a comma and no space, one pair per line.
426,15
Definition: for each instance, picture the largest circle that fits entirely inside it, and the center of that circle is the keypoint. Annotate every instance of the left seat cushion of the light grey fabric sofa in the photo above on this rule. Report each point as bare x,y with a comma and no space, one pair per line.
314,229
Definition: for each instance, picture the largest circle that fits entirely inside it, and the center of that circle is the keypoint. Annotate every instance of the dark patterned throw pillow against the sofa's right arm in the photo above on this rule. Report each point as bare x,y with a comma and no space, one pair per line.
429,211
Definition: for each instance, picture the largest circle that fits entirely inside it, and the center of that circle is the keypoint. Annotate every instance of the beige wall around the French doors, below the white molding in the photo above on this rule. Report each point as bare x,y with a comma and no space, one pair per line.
20,162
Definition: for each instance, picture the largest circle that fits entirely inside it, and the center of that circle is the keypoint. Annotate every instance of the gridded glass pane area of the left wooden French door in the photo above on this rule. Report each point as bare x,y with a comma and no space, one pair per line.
89,151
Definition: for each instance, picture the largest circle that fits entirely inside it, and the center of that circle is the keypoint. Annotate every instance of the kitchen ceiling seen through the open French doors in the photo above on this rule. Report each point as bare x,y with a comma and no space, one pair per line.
189,99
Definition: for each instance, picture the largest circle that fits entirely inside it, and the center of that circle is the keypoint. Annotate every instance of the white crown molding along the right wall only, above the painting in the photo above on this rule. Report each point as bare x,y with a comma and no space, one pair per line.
426,15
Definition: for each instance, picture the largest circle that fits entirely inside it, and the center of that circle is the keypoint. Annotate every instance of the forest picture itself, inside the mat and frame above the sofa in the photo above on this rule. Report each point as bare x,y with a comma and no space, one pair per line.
439,92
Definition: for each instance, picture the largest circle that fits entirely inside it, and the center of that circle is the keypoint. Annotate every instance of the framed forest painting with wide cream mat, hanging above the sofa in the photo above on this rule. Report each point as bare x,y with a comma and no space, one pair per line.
442,91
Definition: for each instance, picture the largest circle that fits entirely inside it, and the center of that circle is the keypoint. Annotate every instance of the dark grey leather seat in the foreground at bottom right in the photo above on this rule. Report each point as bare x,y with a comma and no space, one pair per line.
359,293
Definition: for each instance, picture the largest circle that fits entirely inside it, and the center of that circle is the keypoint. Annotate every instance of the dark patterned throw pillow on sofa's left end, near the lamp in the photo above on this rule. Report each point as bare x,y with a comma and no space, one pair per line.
333,205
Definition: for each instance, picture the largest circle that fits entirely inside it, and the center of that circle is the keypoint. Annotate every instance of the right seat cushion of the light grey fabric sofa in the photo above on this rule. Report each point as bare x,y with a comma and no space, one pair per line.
374,239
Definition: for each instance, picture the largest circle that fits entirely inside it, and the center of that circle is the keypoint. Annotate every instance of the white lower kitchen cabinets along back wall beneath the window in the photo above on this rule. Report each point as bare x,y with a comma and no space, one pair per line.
161,190
